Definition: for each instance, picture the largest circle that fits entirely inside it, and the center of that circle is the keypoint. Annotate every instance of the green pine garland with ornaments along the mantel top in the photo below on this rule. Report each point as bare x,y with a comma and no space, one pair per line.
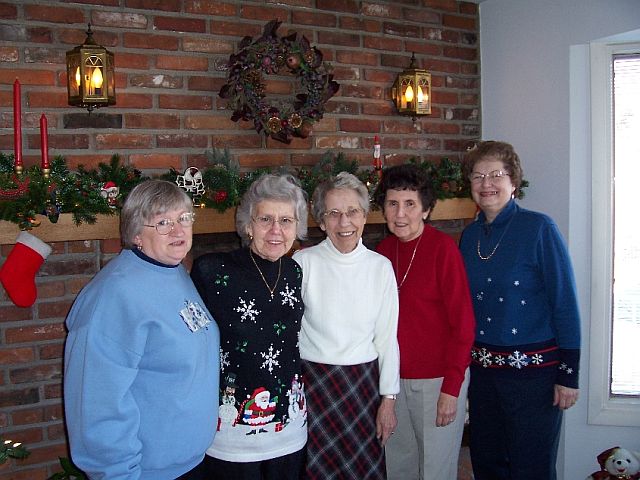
23,197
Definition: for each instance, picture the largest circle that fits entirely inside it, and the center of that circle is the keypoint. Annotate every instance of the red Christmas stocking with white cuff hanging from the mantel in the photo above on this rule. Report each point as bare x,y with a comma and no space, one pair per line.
19,269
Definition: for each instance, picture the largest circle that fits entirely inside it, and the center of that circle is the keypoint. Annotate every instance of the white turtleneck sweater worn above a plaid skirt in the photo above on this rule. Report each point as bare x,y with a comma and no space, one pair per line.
351,310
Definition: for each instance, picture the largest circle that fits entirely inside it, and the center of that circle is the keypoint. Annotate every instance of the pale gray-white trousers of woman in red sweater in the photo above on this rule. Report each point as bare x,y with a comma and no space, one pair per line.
418,450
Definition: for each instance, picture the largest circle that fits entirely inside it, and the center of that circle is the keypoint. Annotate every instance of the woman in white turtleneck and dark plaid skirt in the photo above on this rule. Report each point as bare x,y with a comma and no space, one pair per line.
348,340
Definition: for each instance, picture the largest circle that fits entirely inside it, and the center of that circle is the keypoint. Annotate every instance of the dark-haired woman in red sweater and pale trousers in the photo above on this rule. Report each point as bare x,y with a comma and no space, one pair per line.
435,330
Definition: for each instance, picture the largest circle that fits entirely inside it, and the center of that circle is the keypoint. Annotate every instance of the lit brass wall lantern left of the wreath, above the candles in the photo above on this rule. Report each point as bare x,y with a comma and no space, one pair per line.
90,75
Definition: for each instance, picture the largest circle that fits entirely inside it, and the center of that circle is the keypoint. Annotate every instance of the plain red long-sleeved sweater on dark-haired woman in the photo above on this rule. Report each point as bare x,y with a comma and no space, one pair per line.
436,327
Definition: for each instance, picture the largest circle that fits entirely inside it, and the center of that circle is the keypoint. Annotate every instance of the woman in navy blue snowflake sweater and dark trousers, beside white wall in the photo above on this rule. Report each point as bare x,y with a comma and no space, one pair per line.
524,372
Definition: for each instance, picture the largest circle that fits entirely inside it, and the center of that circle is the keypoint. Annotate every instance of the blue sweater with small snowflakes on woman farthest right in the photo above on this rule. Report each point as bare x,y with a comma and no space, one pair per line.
524,295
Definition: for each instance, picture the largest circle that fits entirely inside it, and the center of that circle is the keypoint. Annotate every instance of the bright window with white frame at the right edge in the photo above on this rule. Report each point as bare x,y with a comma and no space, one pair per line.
614,373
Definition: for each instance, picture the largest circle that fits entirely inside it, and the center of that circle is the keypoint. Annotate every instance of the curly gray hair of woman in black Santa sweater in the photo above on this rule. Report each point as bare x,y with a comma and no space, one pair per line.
282,187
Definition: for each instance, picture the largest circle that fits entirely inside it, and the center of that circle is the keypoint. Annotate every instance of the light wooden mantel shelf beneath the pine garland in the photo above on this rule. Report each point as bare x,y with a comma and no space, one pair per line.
208,221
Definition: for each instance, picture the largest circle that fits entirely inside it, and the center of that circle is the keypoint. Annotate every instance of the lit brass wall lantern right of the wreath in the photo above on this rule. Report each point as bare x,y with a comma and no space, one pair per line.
411,91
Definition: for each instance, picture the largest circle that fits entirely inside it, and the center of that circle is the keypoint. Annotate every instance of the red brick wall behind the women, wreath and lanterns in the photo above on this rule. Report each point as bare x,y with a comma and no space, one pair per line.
170,62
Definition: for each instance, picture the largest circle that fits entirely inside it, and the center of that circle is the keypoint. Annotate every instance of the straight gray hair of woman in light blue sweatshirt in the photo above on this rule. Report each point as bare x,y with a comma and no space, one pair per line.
146,200
